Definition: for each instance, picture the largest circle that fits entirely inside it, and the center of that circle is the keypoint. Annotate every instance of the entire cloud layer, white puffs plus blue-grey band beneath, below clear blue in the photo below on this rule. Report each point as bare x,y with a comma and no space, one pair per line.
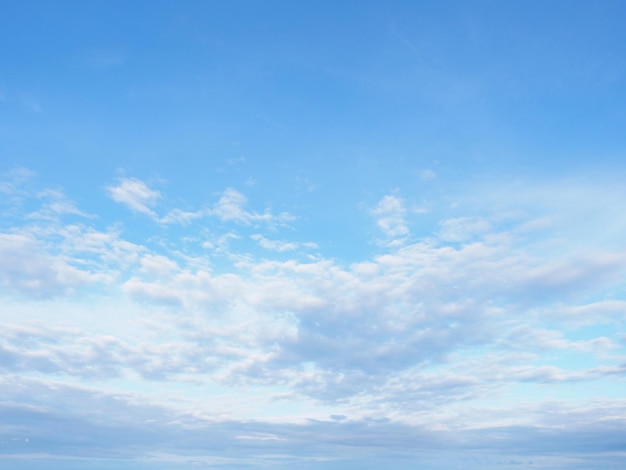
134,341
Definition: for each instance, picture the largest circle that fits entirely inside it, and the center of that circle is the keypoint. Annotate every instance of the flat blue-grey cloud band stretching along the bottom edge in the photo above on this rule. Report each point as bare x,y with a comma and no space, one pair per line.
128,429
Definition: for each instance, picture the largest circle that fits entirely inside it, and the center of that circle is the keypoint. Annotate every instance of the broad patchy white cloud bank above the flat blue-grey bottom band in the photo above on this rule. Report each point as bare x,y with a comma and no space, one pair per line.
422,334
